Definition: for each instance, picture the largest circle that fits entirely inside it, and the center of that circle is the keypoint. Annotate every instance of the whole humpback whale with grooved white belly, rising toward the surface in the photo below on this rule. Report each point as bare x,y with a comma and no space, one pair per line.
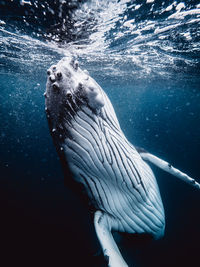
116,175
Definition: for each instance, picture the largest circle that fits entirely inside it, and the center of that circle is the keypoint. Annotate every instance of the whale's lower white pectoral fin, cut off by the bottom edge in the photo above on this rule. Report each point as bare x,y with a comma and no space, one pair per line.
111,252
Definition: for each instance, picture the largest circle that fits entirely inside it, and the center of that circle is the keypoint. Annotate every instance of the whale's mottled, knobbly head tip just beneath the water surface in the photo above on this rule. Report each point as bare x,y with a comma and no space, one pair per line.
68,89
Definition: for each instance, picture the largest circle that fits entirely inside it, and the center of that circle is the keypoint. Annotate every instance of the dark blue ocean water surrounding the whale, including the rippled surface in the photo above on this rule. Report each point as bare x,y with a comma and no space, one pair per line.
146,56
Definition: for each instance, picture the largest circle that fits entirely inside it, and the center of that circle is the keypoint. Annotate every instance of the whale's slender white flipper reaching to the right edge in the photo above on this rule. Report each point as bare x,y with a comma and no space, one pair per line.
164,165
